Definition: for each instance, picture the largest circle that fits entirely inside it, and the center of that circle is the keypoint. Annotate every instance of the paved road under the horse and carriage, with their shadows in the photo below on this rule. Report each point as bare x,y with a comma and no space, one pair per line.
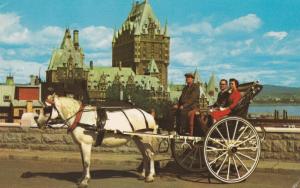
36,174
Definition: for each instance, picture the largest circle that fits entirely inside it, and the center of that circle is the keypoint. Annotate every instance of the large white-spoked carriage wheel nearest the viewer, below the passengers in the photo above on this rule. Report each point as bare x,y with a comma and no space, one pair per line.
232,149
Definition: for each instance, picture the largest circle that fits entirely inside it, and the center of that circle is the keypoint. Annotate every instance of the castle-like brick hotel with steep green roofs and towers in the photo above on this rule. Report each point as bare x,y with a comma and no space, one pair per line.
140,60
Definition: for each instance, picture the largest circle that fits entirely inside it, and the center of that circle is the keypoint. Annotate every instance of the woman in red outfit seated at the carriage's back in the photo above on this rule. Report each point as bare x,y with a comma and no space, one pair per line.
234,98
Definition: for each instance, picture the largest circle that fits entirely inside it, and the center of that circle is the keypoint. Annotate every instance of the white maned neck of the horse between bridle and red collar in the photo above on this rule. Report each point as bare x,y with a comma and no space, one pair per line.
69,106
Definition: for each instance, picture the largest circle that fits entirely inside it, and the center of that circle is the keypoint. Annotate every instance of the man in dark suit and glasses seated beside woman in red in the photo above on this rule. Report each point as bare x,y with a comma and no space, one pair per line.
223,96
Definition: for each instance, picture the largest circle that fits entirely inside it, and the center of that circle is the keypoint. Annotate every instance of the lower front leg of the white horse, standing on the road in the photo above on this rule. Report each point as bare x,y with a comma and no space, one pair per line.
86,161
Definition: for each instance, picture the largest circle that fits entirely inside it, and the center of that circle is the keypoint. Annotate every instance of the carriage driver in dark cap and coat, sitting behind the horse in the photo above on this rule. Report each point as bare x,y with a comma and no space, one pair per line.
187,105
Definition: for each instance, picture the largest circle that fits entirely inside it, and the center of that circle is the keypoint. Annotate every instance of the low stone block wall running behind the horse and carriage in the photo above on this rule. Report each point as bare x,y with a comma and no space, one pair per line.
279,146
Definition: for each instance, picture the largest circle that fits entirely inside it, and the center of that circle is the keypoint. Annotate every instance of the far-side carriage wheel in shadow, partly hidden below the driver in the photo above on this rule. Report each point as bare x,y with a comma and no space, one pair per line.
188,156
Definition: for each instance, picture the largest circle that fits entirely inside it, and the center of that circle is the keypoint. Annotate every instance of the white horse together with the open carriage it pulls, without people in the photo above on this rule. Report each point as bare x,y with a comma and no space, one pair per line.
229,149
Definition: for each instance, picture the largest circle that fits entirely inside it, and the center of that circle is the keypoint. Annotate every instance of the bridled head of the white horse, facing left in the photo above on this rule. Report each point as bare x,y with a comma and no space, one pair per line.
49,111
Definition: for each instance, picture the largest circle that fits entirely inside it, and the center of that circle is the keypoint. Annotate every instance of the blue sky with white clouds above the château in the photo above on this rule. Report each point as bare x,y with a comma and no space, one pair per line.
244,39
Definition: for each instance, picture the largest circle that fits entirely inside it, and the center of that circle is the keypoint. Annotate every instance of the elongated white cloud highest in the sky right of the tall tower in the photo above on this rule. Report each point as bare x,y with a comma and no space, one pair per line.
246,23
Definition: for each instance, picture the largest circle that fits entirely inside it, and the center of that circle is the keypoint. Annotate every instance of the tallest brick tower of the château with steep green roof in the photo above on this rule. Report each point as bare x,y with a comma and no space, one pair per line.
140,41
